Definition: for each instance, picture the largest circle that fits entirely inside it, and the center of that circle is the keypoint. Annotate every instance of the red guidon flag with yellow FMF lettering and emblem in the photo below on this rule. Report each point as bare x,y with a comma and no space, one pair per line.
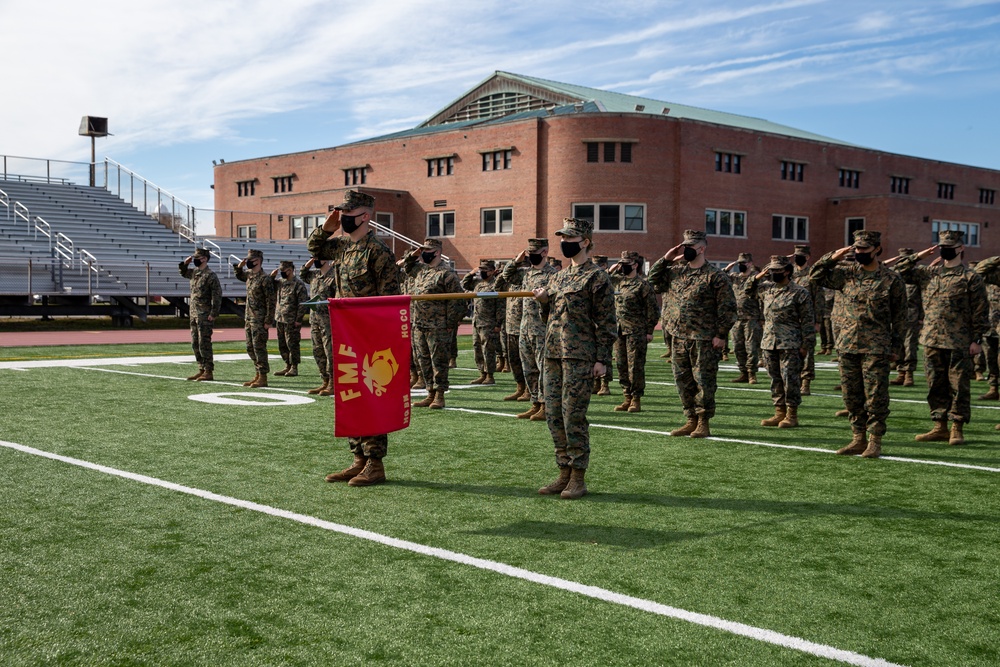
371,364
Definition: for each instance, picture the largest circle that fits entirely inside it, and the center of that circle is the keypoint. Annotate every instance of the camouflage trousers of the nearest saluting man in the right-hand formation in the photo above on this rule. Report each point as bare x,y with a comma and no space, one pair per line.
864,379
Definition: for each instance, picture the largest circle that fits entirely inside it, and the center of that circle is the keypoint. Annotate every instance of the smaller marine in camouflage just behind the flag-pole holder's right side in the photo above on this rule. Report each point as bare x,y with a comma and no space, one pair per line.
637,314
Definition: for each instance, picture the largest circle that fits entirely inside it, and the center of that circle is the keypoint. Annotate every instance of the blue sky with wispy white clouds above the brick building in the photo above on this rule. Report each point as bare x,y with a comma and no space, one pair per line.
184,82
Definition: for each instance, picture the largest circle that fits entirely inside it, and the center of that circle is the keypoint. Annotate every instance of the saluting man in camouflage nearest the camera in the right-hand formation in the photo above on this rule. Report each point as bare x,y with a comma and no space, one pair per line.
873,299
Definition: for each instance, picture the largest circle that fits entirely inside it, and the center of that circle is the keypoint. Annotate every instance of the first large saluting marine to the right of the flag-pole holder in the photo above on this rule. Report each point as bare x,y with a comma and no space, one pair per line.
701,309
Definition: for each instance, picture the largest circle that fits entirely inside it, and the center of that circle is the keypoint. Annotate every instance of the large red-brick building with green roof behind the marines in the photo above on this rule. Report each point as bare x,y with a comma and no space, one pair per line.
514,155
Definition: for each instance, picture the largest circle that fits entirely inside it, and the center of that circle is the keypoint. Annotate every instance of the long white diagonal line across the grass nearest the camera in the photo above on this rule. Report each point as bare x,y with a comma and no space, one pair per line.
758,634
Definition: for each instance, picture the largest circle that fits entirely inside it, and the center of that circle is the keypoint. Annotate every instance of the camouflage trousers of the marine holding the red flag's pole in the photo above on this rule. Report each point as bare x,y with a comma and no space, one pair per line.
567,397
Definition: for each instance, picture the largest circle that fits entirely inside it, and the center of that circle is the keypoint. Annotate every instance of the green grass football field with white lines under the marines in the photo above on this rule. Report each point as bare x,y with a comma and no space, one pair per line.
755,547
